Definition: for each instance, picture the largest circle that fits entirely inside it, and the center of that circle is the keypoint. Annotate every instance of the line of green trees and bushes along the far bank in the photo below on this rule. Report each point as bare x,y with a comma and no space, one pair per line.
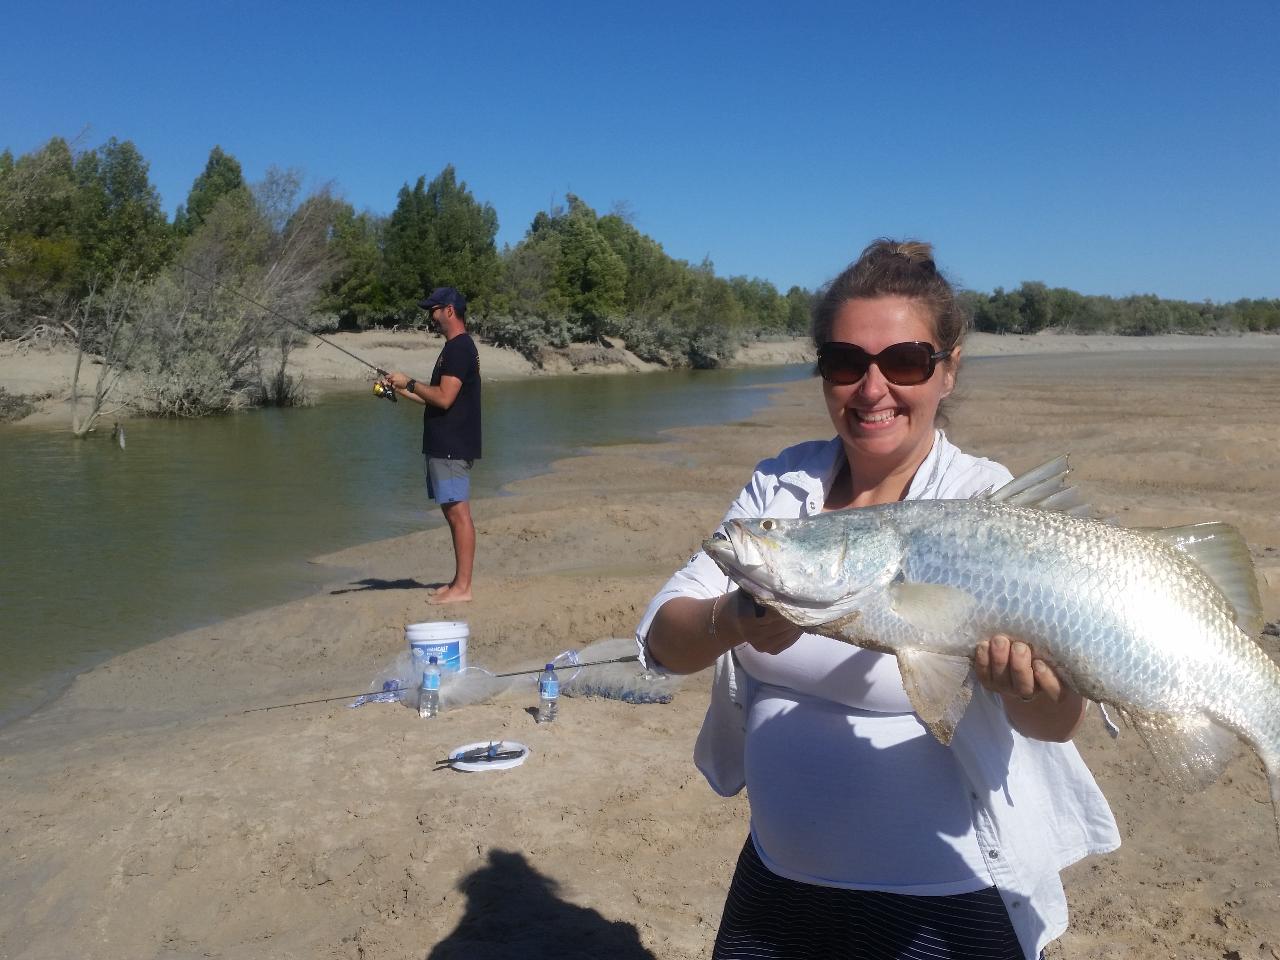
88,252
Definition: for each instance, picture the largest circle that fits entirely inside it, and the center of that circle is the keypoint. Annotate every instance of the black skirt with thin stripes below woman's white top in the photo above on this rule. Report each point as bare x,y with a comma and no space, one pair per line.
772,918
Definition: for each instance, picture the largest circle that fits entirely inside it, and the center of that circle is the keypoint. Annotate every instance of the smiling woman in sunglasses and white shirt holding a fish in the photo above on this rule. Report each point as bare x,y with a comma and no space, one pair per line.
870,836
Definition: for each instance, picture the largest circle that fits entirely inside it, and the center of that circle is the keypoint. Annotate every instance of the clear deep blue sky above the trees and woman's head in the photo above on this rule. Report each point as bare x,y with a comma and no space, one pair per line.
1112,148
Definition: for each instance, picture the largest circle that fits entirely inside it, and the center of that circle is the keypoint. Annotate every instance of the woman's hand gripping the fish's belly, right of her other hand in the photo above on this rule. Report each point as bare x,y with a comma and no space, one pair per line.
1037,702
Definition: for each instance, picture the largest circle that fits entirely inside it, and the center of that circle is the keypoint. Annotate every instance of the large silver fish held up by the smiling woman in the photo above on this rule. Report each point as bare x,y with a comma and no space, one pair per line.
1158,624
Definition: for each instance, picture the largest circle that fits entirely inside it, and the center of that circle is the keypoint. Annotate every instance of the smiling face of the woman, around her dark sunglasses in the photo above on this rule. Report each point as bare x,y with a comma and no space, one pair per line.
880,422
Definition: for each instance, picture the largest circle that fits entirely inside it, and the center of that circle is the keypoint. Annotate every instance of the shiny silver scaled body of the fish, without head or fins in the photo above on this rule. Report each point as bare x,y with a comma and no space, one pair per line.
1130,621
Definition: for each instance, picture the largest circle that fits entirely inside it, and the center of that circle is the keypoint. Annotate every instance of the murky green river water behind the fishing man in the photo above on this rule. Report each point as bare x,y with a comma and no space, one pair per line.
104,550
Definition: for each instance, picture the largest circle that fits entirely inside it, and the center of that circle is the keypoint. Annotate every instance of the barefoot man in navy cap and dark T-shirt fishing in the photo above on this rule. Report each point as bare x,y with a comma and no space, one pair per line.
451,431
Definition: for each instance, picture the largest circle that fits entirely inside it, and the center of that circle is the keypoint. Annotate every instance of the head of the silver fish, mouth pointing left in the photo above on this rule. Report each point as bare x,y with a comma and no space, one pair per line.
812,570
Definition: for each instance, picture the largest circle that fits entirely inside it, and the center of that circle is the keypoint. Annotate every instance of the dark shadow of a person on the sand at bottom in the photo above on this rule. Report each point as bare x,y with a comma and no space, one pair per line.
514,913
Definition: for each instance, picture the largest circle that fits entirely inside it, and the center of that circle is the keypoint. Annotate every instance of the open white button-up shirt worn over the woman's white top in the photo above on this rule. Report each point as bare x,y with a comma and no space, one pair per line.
1036,806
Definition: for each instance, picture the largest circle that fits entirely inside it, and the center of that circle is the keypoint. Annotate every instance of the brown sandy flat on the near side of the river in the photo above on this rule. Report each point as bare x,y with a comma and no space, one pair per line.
148,816
